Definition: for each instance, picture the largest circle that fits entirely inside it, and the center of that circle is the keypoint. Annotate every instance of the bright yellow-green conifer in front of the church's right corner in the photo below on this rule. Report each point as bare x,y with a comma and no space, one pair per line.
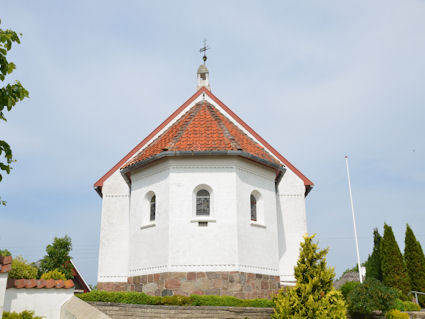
313,295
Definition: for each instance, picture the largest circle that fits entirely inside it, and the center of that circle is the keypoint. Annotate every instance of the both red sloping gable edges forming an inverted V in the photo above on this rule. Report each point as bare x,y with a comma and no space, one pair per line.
99,184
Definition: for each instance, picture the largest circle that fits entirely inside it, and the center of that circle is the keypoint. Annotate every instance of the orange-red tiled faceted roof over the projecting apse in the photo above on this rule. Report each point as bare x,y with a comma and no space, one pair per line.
203,128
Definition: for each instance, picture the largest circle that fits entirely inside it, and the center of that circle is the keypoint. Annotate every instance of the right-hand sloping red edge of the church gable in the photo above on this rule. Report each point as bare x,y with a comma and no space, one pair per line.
306,181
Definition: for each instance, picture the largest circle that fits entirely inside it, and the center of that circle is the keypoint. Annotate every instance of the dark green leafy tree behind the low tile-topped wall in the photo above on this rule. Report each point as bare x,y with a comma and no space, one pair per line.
57,257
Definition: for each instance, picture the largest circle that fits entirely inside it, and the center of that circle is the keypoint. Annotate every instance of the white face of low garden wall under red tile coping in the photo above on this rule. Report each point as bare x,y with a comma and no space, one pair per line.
44,302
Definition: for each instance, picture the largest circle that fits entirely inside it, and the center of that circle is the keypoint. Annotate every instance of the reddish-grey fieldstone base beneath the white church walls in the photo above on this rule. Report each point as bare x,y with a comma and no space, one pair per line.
234,283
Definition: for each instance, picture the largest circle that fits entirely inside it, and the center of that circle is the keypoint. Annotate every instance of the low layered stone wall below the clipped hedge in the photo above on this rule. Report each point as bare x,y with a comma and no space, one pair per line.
126,311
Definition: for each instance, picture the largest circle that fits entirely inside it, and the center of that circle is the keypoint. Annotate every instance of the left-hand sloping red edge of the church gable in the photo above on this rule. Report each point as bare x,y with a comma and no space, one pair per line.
100,182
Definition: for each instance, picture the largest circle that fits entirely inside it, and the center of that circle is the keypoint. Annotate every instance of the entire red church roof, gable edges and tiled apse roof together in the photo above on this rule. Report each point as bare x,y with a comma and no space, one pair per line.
182,137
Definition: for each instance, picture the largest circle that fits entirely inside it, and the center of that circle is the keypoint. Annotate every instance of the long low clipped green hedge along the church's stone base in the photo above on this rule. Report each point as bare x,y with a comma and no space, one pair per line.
140,298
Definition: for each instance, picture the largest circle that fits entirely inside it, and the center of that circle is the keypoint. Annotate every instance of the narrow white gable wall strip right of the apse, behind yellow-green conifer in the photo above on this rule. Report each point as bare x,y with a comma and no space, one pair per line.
292,223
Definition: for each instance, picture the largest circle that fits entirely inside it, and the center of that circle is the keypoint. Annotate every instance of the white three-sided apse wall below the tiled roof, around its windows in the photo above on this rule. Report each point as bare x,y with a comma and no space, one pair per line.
176,243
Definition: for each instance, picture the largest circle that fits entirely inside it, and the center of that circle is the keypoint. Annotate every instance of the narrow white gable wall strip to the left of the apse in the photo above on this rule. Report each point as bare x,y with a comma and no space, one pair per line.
113,248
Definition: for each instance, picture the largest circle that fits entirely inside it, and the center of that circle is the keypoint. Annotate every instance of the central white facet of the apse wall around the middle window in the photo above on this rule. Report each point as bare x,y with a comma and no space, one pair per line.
195,248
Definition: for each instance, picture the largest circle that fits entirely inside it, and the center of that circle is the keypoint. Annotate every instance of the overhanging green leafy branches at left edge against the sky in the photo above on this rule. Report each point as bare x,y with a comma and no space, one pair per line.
10,94
